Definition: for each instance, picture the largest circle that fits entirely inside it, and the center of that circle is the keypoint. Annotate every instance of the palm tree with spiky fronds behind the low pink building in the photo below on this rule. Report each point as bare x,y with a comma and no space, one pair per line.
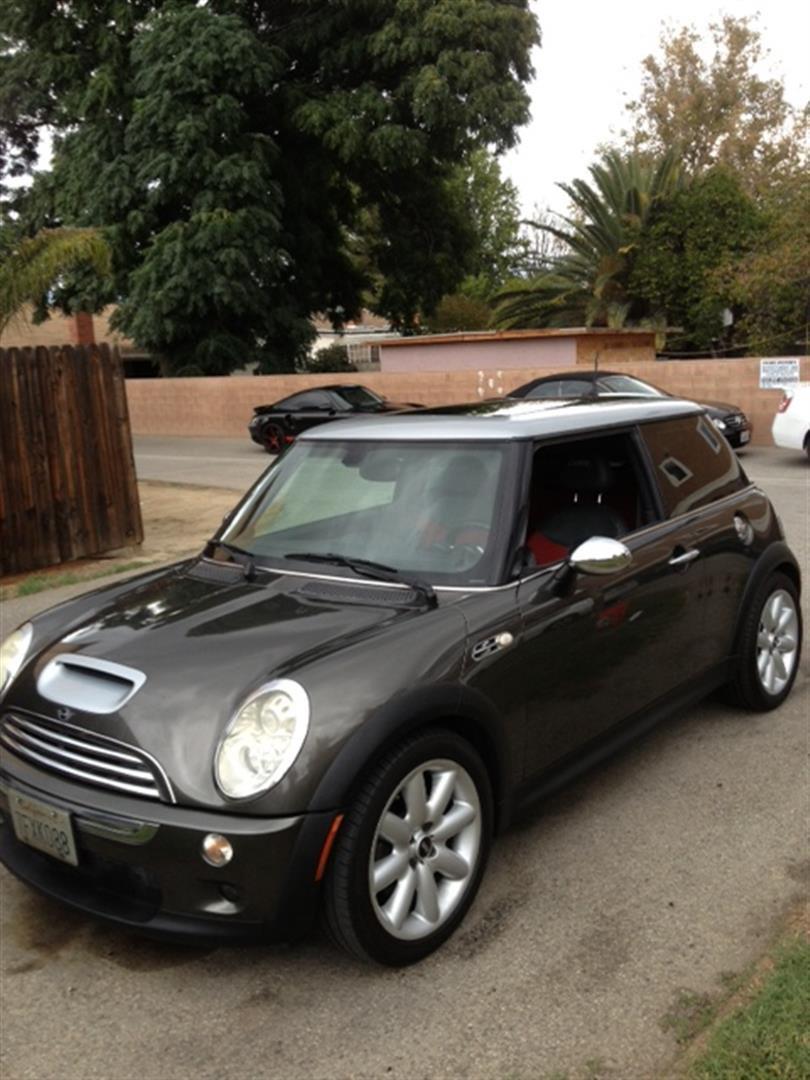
588,283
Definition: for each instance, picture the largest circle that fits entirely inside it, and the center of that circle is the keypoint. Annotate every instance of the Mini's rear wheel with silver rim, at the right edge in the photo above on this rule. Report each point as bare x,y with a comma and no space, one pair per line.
771,645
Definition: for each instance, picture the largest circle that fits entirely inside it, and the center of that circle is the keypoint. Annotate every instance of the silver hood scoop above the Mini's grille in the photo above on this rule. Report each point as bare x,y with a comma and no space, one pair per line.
88,684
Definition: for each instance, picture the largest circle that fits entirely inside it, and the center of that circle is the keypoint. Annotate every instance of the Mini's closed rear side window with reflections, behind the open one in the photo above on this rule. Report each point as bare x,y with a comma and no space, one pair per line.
693,463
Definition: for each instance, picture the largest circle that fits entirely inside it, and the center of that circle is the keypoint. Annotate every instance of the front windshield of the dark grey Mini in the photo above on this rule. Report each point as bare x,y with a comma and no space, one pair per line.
426,509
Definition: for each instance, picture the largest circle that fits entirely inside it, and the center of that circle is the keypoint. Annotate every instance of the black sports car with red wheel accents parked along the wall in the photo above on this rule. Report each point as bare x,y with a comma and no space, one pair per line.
277,426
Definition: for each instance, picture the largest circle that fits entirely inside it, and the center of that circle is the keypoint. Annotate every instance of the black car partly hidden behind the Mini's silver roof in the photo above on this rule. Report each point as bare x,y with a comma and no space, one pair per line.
727,418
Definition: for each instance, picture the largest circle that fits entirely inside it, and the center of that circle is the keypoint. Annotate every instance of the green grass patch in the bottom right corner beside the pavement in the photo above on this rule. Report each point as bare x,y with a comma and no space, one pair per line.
769,1038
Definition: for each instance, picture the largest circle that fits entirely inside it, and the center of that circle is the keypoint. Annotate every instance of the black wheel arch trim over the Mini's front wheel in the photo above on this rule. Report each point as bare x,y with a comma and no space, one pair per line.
455,709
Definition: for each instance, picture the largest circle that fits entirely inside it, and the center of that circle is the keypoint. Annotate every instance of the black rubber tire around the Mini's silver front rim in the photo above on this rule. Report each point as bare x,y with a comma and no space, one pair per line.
350,911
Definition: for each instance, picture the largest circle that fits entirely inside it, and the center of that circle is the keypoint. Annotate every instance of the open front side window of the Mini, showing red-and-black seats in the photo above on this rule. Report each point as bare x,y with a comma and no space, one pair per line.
585,489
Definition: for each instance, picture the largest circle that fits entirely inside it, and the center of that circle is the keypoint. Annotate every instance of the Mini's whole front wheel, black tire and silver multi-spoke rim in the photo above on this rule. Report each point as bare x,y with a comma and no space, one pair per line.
412,852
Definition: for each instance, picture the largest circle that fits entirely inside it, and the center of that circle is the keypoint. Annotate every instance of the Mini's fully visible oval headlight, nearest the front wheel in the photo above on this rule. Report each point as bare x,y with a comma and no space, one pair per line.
263,740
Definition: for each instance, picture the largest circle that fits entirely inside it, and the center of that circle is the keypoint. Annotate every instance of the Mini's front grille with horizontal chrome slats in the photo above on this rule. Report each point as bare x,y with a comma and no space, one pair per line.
84,757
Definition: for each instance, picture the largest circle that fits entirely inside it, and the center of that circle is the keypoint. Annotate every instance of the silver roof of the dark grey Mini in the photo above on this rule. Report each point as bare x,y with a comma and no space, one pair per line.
504,420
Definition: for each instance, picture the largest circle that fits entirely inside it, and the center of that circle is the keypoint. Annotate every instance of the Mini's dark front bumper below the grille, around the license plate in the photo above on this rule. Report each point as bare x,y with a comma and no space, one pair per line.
141,867
